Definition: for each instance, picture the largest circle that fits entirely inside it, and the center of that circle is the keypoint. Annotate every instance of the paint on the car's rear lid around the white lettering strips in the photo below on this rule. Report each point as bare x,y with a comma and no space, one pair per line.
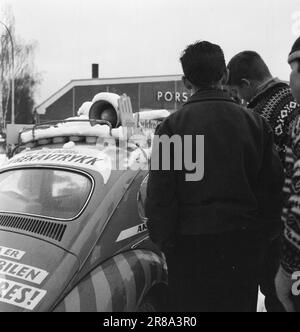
60,264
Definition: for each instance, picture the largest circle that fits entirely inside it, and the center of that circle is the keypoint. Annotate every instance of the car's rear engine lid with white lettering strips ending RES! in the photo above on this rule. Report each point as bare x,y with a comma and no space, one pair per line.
33,273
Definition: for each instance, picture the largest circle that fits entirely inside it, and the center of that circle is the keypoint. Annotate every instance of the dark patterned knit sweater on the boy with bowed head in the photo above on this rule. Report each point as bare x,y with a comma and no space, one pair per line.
276,104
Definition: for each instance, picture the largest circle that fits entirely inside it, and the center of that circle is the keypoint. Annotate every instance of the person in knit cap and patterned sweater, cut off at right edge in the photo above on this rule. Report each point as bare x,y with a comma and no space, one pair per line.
287,279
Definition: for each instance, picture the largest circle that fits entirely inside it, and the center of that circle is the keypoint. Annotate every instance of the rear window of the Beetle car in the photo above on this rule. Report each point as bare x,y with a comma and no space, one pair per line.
44,192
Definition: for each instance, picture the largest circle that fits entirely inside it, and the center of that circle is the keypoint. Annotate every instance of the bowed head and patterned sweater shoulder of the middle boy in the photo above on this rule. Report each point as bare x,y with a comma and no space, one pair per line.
251,79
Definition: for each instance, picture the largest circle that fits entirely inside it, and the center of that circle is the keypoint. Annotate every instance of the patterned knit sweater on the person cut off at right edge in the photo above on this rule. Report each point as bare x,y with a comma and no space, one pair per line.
291,212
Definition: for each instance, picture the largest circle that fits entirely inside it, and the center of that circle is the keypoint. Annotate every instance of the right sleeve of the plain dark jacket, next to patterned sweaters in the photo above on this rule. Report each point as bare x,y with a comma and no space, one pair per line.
271,180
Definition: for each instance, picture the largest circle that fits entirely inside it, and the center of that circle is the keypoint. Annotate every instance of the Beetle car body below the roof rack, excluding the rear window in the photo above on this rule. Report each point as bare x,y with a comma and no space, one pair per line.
104,260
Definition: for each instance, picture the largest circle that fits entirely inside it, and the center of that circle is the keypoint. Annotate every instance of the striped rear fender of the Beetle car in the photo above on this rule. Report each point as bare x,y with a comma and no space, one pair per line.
118,285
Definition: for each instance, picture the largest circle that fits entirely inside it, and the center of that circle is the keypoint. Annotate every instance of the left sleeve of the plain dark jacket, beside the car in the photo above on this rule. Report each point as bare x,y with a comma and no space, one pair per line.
161,202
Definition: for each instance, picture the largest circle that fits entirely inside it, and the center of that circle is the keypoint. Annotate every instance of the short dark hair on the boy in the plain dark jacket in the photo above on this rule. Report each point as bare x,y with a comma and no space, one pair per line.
203,63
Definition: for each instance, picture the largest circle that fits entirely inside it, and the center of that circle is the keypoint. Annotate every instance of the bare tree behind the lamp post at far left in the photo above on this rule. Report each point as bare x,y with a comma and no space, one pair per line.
26,78
